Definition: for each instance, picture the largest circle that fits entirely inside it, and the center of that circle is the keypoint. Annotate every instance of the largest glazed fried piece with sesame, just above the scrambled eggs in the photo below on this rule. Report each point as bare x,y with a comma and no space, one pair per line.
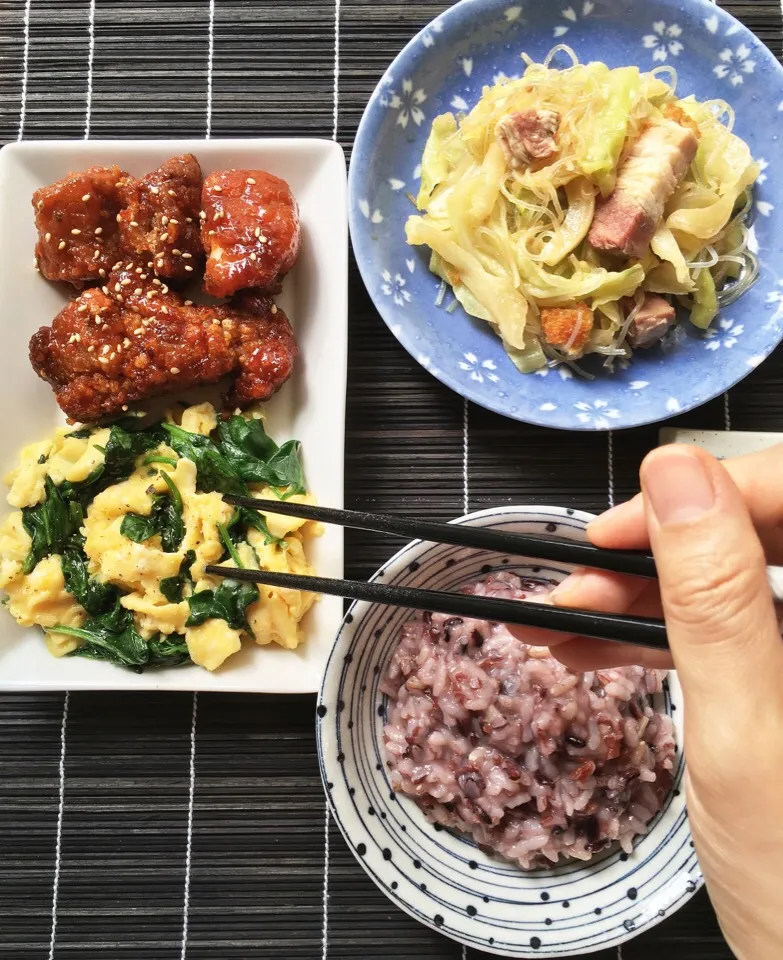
134,339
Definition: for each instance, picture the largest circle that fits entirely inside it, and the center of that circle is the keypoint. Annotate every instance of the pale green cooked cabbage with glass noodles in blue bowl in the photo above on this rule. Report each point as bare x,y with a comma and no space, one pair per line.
508,228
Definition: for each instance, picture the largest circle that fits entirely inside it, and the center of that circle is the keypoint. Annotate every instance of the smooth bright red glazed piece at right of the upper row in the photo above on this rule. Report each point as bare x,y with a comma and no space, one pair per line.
250,230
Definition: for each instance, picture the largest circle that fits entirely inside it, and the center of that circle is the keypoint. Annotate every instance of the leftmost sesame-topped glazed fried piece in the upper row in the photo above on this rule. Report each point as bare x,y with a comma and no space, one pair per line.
77,225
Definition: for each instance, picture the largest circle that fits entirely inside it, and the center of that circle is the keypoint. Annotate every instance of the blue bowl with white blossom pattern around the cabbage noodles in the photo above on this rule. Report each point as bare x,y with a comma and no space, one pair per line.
444,68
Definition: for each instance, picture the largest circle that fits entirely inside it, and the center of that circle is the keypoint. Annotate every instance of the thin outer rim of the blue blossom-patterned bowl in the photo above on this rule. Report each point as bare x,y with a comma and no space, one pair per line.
464,389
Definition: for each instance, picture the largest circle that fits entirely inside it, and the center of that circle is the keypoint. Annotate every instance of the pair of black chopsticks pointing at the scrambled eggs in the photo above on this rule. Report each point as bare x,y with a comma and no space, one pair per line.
639,631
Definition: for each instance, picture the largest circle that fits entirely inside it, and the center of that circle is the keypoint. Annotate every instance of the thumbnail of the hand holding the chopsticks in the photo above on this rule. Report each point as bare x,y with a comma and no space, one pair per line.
677,485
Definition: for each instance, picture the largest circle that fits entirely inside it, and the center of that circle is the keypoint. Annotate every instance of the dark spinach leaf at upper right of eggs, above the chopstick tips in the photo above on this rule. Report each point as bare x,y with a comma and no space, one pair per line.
257,458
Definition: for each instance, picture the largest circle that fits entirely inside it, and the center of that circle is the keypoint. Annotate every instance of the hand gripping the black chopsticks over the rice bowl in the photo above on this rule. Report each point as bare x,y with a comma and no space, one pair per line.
712,529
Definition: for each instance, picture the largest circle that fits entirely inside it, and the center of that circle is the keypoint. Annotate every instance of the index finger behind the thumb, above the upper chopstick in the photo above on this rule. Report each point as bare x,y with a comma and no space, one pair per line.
759,477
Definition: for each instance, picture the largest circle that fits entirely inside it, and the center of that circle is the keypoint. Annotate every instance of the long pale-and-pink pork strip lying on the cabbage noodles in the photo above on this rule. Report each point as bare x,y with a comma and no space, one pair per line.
625,222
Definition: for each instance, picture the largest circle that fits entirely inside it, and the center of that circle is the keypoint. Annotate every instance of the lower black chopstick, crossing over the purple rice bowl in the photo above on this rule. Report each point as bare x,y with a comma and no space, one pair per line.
639,631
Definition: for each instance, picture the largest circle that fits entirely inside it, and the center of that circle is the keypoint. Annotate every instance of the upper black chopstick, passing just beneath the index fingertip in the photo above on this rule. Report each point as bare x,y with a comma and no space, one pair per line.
555,549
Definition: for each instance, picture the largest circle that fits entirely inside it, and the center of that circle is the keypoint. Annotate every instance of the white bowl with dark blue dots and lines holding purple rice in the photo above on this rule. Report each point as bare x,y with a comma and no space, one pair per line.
444,880
